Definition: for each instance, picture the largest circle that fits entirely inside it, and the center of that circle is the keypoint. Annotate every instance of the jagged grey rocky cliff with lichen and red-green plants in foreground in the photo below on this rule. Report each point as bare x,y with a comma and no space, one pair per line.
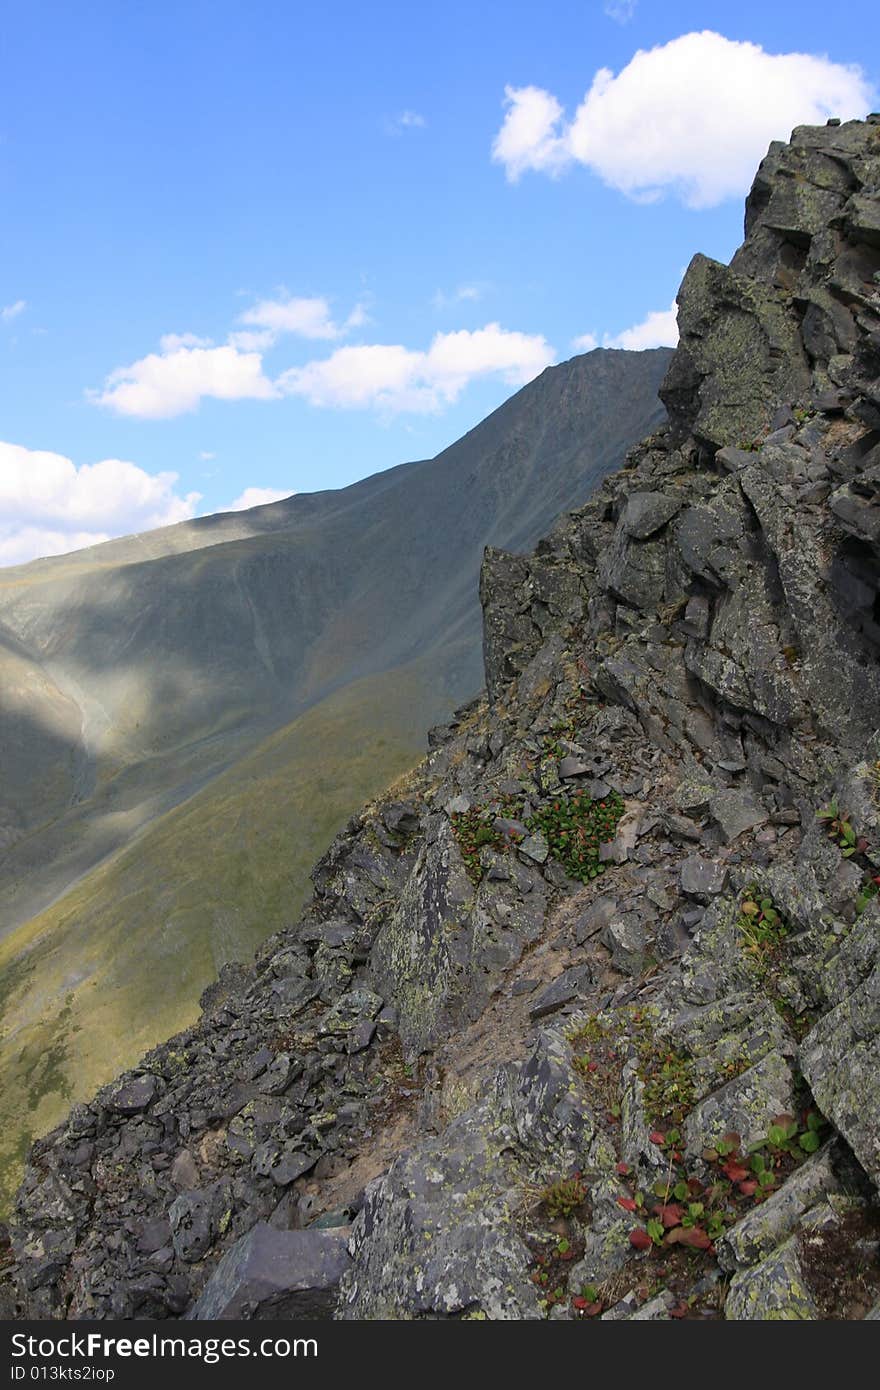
585,1018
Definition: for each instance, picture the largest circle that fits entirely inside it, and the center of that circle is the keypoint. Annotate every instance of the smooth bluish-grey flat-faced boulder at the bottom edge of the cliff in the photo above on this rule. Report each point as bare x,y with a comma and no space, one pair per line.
276,1275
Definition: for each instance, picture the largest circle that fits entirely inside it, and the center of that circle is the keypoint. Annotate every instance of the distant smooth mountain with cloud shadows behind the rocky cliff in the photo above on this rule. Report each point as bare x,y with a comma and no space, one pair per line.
188,717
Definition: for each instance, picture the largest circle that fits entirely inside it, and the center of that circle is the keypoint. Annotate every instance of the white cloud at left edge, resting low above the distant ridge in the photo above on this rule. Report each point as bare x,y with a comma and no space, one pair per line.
48,505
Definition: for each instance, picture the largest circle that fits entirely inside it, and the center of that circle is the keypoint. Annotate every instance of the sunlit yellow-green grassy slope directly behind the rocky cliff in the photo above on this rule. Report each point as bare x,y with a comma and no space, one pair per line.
99,978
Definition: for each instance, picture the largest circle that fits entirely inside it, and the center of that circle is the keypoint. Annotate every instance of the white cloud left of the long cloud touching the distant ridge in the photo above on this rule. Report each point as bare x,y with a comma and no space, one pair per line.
174,382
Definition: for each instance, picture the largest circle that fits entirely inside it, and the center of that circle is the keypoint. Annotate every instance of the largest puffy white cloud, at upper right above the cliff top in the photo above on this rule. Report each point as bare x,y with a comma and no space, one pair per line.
694,116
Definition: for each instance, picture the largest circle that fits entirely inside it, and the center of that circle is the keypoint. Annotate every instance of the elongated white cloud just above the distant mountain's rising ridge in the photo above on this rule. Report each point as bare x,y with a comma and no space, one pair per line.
396,379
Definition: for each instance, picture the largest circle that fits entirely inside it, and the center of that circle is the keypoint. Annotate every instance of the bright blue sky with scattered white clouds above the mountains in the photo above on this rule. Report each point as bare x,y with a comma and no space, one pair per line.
269,245
